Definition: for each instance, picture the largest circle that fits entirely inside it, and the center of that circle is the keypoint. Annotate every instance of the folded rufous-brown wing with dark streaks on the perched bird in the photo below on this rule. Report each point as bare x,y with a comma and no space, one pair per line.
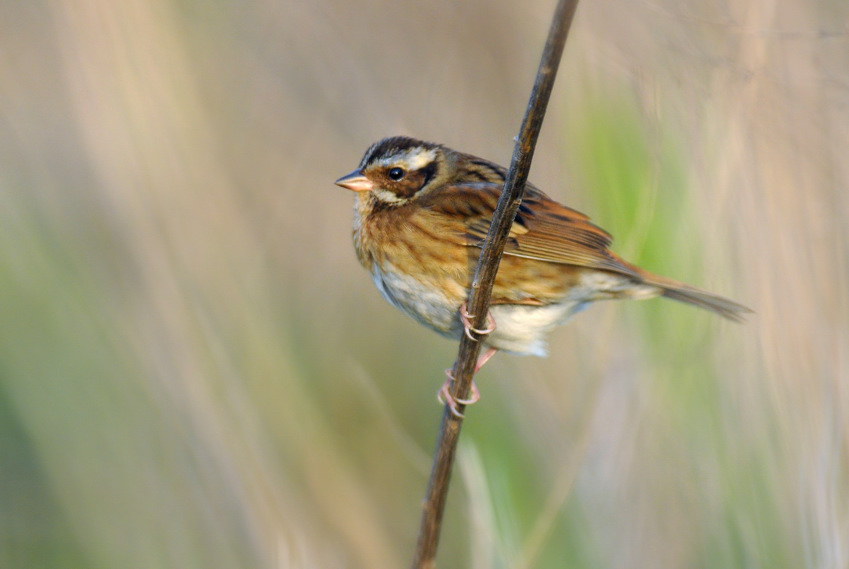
543,229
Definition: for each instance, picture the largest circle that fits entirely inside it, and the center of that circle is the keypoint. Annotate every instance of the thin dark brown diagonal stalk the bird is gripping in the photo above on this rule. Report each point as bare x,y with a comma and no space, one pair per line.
481,291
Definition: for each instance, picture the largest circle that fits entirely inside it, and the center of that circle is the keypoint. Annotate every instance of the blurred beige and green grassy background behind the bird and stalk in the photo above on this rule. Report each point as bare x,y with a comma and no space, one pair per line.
196,372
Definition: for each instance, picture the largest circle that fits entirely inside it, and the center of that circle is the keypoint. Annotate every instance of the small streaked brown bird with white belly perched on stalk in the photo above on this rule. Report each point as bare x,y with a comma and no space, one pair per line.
421,216
